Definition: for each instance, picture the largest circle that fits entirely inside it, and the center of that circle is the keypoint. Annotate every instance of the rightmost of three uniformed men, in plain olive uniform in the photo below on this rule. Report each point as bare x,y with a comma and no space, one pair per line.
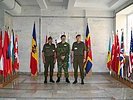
78,58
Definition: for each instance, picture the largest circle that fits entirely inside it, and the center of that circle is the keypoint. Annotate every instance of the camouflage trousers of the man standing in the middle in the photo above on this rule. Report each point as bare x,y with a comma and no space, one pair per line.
64,66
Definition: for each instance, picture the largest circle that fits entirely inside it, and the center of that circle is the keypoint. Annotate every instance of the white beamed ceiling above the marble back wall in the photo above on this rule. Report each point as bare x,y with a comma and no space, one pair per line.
75,4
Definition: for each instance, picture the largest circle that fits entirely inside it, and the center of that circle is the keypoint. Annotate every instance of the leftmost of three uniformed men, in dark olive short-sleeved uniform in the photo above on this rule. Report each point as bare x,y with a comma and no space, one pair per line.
49,59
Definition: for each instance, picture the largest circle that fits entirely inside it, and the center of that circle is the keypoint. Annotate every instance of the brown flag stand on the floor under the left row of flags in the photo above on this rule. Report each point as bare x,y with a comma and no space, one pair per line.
7,81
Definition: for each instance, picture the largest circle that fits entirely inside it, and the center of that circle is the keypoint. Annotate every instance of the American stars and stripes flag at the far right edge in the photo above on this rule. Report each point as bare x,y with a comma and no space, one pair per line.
130,68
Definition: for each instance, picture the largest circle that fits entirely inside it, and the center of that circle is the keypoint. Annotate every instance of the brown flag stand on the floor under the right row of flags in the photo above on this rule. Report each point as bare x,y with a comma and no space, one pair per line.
122,80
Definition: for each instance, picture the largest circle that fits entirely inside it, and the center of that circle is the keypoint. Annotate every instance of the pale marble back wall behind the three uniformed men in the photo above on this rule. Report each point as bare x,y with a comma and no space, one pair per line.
70,22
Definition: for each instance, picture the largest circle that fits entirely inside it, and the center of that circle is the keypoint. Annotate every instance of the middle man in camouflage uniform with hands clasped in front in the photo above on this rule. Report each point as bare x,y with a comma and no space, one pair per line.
63,50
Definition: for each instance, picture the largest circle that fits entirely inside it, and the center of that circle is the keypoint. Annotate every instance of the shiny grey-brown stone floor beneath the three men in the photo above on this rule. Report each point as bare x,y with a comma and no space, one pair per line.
98,87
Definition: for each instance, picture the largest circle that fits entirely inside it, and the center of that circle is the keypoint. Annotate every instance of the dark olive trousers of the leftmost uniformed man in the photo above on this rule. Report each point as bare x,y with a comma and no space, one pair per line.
49,62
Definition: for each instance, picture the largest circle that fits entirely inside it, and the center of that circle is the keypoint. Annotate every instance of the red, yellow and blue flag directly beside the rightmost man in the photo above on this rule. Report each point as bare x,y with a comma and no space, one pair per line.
88,64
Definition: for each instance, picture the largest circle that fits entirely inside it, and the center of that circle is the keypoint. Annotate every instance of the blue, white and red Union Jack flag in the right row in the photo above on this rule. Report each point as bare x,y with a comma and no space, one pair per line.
122,58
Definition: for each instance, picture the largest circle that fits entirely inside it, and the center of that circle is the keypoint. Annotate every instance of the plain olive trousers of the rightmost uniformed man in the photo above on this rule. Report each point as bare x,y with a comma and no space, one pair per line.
78,61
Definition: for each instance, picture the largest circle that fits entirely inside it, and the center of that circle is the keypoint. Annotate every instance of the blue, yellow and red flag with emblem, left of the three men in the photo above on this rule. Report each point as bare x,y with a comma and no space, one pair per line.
34,54
